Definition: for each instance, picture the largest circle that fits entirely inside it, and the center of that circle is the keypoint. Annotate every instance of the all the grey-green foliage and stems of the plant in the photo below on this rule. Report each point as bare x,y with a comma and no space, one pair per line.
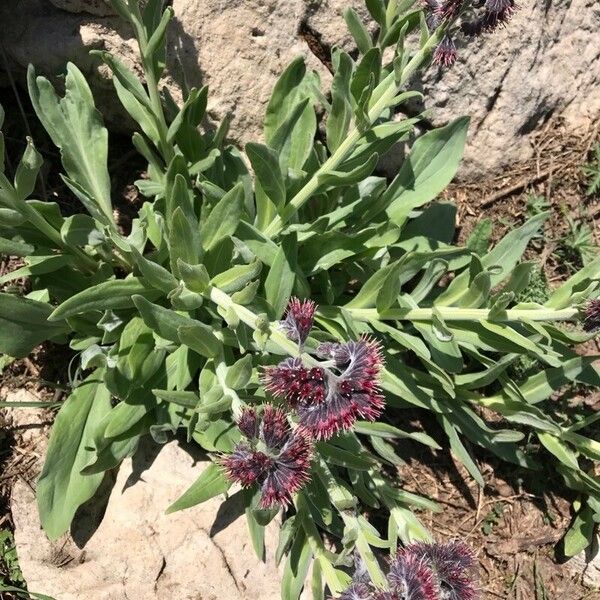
176,320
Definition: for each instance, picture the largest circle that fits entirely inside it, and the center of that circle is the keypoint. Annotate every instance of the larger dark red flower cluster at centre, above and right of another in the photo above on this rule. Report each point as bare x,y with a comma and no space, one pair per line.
330,400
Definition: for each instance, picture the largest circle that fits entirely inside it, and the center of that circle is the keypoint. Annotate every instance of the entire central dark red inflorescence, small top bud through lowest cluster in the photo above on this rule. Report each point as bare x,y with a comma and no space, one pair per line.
321,401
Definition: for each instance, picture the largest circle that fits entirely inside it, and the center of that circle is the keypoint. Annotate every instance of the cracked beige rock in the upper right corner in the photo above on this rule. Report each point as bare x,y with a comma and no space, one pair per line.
543,64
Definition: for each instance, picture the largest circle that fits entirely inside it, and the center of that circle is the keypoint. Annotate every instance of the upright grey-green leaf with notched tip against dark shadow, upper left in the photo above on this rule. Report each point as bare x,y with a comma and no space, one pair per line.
76,128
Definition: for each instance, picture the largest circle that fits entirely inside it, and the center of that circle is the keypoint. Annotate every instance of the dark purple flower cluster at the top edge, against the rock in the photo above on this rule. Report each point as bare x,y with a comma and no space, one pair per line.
476,18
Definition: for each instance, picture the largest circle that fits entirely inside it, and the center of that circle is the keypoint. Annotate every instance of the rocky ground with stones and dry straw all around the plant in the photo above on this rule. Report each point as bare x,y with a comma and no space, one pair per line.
533,91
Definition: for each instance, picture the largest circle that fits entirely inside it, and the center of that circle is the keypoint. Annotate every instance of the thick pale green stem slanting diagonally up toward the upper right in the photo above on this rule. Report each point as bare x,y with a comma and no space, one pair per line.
390,88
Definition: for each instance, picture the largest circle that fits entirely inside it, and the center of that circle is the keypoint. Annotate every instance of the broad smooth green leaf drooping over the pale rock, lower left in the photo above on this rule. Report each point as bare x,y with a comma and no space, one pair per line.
61,488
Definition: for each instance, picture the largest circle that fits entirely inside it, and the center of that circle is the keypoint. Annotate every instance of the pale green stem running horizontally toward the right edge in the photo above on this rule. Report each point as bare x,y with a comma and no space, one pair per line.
454,313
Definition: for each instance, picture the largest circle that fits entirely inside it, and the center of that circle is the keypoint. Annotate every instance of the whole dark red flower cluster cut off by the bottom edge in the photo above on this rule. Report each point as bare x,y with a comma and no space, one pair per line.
424,572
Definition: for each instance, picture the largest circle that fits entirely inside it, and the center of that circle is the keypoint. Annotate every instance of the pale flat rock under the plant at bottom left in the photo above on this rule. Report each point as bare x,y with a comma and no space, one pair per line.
140,553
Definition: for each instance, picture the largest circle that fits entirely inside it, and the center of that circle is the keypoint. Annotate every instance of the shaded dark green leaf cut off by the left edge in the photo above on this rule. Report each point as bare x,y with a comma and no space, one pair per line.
24,324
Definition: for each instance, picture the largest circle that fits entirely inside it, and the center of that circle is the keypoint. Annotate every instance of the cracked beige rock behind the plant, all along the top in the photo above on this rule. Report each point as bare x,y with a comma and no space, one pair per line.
544,64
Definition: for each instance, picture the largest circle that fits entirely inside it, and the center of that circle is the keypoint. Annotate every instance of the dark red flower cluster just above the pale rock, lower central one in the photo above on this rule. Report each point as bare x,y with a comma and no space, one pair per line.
274,457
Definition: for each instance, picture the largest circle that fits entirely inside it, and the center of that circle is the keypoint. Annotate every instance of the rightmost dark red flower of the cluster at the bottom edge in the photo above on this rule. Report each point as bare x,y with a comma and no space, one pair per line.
451,564
